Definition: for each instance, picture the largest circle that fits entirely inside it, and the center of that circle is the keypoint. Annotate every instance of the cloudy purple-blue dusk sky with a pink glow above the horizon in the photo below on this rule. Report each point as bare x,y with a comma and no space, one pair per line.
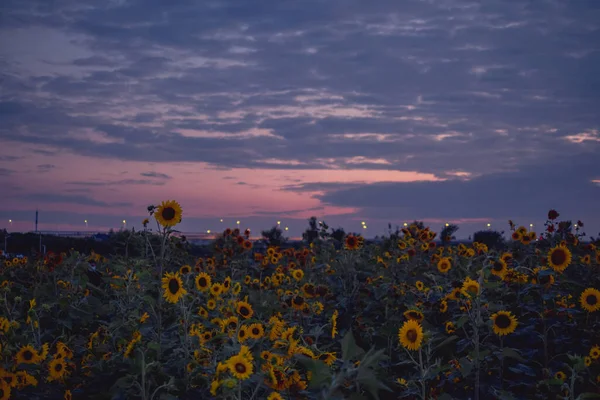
446,111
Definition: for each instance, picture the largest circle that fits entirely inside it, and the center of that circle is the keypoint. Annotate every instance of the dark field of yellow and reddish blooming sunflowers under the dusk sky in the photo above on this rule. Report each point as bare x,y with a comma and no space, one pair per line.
403,319
